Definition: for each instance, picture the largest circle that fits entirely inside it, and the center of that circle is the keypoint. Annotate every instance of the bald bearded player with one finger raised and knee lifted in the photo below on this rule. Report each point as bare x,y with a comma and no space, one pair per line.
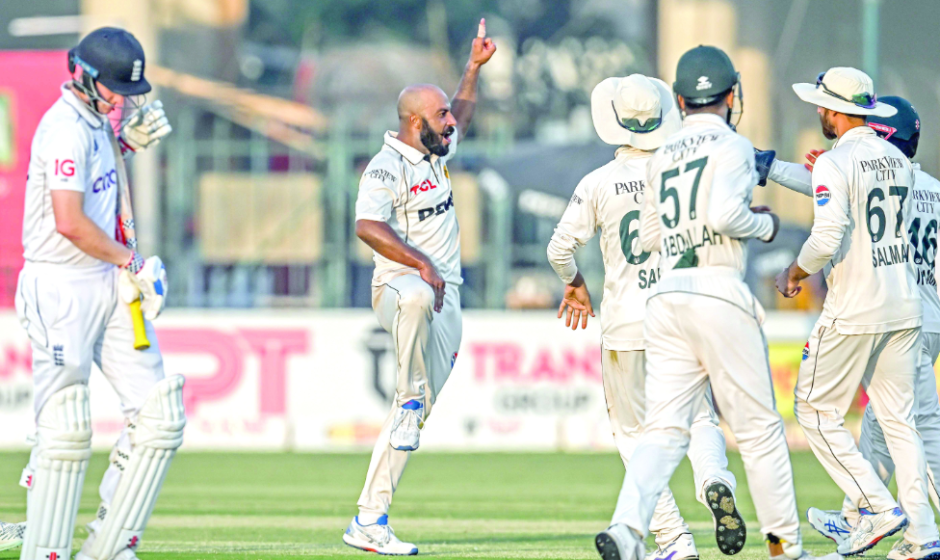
405,212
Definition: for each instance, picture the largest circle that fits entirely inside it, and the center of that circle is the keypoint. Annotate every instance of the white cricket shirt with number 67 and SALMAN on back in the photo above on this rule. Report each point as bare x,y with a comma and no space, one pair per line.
860,190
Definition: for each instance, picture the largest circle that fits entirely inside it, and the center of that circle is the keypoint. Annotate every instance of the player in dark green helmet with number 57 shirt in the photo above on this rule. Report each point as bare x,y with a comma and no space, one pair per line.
703,324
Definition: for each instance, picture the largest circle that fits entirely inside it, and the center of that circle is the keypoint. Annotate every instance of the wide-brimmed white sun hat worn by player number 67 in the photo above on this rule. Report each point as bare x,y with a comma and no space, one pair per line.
846,90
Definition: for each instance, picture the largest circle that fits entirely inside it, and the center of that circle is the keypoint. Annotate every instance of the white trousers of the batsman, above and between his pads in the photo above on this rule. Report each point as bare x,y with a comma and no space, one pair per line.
74,318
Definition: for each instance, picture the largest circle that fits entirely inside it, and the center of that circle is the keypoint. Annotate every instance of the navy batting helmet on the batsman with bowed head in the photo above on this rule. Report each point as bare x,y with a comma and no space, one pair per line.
114,58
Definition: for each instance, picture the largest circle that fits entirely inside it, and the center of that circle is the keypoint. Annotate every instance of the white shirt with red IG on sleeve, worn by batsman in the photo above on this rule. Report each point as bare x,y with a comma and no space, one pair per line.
70,151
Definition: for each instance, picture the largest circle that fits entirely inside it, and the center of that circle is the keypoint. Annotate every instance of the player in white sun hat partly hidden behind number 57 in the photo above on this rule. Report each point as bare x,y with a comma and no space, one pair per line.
637,114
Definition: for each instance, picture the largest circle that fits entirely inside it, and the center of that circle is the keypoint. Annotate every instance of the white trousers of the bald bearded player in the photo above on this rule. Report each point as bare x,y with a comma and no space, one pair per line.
426,345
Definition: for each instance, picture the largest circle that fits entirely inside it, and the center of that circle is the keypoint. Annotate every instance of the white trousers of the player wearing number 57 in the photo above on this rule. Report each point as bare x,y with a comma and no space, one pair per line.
691,340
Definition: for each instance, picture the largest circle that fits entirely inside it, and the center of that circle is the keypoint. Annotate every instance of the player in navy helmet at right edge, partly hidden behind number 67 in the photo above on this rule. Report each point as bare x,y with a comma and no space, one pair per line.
920,214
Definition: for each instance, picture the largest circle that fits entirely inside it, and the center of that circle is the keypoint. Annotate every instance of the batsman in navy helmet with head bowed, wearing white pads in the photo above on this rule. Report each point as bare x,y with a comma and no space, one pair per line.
72,299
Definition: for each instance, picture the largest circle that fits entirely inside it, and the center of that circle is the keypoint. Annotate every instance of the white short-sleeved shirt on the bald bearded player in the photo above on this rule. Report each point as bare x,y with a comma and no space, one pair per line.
411,193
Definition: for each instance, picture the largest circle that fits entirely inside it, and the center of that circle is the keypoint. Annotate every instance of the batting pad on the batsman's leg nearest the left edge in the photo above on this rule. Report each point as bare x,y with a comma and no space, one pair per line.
56,473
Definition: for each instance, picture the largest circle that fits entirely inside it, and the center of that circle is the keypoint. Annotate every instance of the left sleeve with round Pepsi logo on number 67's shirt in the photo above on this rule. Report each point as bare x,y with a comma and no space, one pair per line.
831,216
